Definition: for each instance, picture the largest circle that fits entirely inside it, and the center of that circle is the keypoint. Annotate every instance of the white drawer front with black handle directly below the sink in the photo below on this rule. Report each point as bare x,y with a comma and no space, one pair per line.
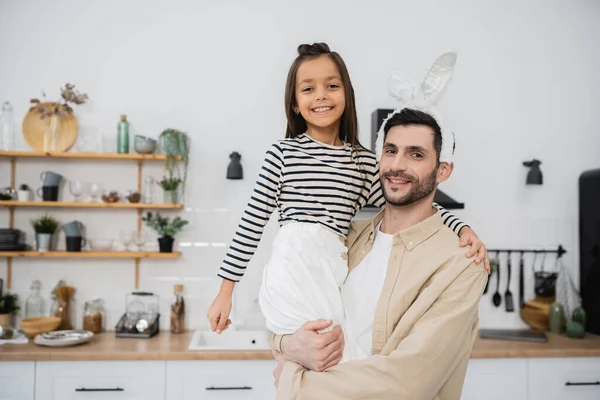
220,380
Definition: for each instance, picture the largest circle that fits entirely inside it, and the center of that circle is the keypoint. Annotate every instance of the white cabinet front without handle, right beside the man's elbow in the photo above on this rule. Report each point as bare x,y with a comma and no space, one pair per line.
496,379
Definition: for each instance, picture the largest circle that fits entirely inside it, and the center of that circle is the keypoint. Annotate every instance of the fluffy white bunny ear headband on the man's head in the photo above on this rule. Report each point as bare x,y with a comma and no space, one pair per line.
423,98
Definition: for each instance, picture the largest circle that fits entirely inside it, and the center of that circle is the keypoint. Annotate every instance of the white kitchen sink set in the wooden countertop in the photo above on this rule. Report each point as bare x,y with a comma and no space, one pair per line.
230,340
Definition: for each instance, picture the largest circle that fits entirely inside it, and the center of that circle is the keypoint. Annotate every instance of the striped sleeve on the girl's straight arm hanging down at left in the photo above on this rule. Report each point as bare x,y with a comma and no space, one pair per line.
261,205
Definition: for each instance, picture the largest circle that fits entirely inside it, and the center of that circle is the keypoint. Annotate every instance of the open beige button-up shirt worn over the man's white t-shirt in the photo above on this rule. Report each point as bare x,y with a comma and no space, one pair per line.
424,327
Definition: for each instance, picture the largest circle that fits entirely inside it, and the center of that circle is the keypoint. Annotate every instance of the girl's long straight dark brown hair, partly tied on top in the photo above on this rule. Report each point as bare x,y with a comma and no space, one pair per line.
296,125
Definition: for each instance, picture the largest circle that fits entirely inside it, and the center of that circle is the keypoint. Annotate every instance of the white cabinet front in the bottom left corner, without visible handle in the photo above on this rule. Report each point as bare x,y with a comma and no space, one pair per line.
17,380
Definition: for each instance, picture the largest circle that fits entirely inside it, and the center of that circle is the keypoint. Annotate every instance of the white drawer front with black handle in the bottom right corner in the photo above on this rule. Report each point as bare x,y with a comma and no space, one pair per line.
564,378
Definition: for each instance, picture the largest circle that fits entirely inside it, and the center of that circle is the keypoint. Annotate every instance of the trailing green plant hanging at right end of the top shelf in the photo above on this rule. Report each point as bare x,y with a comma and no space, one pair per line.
175,144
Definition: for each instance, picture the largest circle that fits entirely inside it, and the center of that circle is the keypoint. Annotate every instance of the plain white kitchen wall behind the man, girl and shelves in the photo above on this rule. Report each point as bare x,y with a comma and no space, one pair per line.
525,86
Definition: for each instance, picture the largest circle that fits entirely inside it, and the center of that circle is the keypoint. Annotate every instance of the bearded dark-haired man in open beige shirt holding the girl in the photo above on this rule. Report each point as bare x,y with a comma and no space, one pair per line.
408,271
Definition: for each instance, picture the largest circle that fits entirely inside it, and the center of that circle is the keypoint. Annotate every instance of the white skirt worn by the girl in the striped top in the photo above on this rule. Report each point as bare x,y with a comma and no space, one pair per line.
302,282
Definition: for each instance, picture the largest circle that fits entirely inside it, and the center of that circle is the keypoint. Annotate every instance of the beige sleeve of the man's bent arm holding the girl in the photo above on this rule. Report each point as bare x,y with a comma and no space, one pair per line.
417,369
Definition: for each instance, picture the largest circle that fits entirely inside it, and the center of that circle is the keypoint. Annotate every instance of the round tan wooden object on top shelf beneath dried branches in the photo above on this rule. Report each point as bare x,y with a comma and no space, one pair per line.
35,129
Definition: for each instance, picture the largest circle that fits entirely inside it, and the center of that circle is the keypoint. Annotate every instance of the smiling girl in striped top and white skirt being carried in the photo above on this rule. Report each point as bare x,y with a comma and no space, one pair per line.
318,178
